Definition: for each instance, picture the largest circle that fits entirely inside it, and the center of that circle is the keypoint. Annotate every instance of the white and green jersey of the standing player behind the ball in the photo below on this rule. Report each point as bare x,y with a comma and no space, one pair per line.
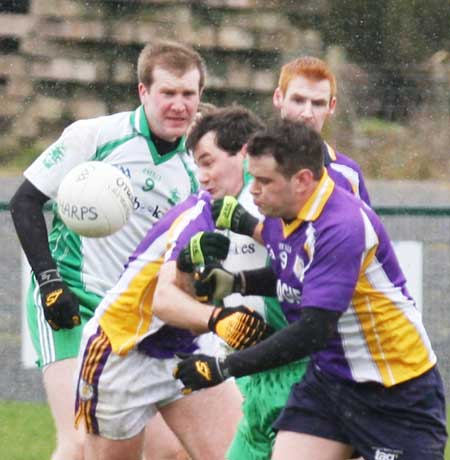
91,266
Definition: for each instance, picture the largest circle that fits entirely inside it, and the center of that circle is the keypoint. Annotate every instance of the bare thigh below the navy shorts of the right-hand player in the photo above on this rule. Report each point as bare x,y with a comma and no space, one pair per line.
293,446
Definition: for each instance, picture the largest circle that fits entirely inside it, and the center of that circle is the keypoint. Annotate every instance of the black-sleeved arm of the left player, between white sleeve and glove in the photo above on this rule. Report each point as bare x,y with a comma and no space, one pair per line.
28,218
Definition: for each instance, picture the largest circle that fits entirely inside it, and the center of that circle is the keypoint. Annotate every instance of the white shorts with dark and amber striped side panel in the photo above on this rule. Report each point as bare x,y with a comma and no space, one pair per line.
117,395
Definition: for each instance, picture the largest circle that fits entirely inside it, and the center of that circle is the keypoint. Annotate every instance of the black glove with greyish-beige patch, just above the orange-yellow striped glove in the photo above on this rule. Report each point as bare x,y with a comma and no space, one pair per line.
215,283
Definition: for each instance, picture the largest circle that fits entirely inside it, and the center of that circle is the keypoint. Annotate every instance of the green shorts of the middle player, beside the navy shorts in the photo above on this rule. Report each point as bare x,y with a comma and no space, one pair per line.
265,395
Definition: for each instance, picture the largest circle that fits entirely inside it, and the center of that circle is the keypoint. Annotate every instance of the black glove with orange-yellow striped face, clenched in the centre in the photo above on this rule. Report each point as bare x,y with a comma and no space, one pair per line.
240,327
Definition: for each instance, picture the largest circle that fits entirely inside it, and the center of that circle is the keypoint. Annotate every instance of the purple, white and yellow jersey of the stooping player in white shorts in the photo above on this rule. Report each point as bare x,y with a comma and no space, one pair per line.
125,314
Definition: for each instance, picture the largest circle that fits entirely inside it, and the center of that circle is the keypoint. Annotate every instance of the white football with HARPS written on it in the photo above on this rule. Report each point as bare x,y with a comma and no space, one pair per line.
95,199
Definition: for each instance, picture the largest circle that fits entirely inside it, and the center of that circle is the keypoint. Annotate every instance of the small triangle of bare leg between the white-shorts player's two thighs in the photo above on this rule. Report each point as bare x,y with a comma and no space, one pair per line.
160,443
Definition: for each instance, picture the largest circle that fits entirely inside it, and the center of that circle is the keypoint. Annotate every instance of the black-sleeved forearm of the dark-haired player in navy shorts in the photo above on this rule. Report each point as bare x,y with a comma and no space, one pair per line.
298,340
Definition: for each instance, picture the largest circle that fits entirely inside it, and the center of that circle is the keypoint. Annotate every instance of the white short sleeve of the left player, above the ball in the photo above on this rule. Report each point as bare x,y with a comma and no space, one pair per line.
76,144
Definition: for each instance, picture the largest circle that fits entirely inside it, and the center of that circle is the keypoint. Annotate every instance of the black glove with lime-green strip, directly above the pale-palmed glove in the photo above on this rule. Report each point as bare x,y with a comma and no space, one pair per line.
203,248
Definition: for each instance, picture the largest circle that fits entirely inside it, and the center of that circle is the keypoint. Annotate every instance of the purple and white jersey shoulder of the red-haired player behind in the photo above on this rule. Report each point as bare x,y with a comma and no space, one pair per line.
345,172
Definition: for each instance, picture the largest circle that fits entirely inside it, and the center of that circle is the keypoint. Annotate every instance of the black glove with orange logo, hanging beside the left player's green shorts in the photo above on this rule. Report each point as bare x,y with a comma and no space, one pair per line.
61,306
